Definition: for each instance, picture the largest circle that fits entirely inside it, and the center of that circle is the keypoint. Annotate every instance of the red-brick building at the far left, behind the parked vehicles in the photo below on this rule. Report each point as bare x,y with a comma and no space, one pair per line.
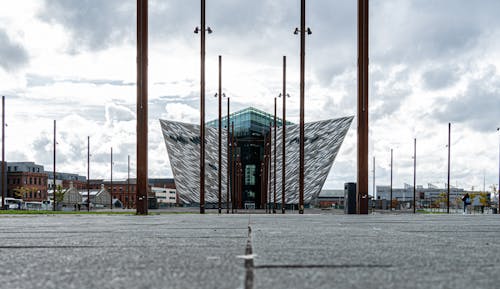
26,180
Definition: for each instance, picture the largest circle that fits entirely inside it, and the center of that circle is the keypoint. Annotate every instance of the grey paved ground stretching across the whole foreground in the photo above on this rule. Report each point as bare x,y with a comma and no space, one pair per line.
250,251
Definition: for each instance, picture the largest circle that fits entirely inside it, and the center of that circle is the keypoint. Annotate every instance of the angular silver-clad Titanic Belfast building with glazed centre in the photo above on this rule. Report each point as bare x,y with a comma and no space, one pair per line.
251,154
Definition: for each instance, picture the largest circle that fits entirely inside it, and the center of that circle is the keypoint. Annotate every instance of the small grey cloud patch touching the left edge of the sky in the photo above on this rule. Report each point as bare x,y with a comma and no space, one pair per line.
12,55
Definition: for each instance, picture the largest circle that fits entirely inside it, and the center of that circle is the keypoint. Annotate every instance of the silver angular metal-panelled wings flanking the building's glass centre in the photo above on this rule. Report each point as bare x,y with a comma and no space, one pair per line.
322,143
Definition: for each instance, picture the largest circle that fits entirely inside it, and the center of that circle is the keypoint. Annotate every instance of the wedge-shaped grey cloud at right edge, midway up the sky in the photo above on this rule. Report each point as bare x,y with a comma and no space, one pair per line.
478,107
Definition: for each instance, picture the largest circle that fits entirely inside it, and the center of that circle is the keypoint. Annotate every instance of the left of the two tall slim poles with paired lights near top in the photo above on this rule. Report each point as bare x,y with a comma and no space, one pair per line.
202,105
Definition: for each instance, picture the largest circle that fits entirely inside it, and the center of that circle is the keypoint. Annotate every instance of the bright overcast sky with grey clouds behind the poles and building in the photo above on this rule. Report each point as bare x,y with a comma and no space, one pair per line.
431,62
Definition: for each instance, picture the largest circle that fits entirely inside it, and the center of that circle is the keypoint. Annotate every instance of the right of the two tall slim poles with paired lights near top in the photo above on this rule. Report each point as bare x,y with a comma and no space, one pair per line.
302,85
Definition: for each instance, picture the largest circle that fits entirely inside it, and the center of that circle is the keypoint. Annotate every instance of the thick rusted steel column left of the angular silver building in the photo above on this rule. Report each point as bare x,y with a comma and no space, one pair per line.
142,108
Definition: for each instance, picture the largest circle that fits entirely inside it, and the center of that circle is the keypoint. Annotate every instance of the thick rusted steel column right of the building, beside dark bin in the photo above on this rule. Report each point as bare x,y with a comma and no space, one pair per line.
362,176
